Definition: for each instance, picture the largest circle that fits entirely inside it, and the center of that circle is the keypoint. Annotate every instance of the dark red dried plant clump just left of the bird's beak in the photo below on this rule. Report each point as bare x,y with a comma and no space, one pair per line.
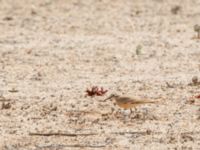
95,91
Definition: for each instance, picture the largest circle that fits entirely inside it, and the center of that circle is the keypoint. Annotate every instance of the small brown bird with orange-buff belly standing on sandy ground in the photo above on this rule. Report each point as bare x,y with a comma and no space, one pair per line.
128,102
